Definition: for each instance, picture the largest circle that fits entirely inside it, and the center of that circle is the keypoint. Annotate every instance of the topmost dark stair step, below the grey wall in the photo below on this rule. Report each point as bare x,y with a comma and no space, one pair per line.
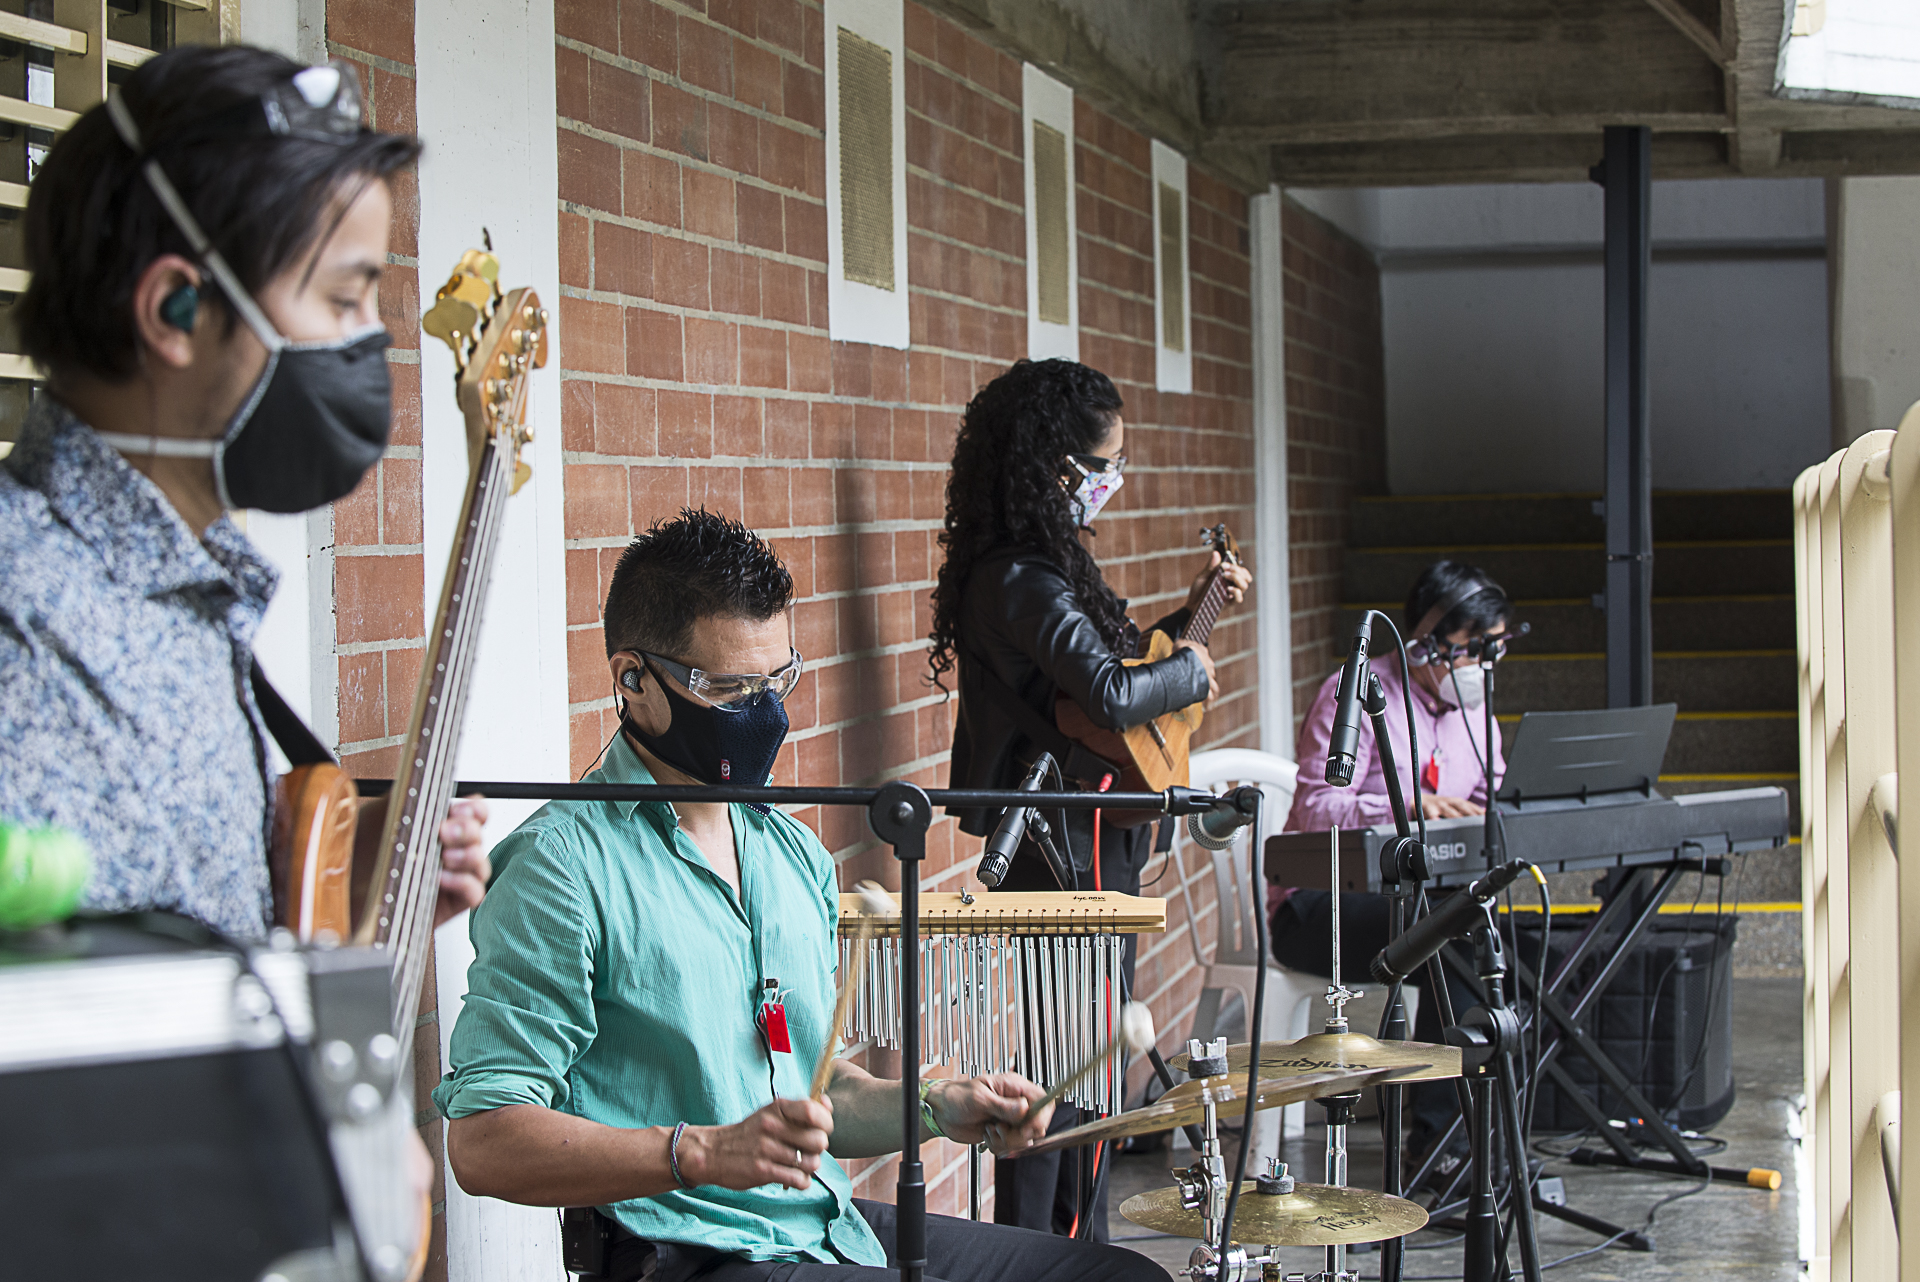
1566,519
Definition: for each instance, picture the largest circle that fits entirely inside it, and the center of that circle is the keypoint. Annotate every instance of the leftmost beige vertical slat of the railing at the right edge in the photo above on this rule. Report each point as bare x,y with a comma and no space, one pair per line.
1817,984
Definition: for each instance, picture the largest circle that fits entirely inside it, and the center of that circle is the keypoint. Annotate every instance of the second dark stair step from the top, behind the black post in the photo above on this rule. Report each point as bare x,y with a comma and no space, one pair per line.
1572,571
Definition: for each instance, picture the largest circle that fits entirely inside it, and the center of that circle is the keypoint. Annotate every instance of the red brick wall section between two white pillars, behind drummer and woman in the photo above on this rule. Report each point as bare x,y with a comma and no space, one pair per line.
698,369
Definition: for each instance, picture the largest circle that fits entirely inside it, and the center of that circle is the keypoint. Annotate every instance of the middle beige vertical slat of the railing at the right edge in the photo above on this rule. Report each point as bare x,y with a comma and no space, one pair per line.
1873,878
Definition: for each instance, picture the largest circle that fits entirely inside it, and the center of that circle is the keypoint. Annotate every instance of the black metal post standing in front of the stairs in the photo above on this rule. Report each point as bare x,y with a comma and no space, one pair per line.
1627,176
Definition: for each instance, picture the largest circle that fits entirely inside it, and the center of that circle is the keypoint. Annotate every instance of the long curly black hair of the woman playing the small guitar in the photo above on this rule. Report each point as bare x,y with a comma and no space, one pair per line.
1005,490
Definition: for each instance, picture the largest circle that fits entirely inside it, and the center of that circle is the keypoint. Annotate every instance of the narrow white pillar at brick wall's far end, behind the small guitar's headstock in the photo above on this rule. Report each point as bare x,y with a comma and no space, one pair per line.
1272,563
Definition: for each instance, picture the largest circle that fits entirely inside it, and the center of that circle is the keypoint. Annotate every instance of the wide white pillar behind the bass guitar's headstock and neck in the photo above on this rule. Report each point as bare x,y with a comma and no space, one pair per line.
487,108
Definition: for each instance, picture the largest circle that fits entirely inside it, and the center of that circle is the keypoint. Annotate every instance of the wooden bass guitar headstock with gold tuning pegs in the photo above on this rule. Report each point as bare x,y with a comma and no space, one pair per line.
498,341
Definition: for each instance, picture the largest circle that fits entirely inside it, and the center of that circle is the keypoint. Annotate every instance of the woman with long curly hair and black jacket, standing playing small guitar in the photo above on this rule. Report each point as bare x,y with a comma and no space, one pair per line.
1024,617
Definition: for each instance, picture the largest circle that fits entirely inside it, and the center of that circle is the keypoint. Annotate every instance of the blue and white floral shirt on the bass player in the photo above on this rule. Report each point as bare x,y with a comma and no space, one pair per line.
126,709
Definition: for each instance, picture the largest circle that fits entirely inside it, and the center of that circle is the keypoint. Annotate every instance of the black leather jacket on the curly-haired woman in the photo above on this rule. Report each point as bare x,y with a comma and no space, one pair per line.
1020,619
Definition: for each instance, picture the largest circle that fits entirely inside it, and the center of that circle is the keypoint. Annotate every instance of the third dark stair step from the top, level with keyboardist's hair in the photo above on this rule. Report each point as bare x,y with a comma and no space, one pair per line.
1679,625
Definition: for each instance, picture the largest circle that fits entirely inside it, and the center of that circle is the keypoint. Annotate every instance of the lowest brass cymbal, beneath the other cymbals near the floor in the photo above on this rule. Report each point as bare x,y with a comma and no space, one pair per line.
1310,1216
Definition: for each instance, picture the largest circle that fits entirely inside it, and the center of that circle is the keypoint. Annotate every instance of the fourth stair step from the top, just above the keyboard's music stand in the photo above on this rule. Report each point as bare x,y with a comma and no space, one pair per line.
1696,680
